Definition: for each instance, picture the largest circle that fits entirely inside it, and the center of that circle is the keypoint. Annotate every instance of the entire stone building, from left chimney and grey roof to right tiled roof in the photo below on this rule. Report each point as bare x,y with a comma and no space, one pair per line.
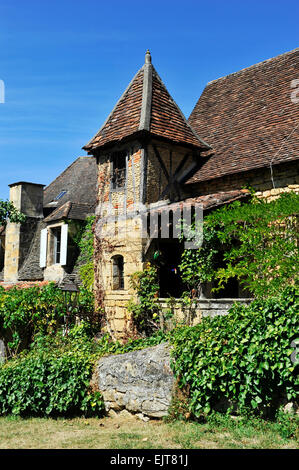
242,132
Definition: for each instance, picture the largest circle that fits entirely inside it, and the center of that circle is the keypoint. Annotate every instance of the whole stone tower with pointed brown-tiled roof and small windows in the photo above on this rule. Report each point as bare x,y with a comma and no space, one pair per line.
145,150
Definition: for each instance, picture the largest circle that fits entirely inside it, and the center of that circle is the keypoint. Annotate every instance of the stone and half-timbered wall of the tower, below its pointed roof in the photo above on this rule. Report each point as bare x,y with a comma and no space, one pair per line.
145,180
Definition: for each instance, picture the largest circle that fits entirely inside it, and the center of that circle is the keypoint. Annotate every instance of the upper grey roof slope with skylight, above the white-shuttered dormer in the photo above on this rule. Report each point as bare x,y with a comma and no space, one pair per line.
77,184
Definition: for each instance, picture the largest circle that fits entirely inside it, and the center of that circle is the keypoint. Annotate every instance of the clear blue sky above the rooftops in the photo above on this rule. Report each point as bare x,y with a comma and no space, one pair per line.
65,64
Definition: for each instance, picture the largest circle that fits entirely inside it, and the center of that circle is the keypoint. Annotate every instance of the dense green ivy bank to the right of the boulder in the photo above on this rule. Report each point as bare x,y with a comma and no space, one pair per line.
243,358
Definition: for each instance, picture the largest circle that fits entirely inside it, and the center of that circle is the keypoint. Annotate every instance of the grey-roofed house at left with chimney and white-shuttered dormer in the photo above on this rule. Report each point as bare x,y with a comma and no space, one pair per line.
43,247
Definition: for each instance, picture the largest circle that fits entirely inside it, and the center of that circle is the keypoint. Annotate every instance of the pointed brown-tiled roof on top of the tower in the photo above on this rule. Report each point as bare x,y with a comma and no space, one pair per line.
147,106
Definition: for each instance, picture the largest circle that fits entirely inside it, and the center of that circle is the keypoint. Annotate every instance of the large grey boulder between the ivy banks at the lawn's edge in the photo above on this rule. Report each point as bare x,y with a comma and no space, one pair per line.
138,381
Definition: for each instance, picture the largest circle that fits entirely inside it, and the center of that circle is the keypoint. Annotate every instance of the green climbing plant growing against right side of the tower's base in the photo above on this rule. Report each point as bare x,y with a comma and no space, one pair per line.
146,311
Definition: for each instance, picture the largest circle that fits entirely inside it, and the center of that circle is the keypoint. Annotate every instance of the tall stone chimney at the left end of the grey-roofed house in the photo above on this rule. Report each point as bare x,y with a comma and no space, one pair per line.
28,199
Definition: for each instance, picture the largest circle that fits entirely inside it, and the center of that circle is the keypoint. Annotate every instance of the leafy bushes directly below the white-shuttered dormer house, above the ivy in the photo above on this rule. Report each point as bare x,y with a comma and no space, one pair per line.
26,312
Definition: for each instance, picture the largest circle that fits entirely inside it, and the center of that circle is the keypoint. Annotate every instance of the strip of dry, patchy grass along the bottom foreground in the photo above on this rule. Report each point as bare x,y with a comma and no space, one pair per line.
130,433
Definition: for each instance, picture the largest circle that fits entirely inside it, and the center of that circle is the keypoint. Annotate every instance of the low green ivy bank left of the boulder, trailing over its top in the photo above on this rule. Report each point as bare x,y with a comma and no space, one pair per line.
53,378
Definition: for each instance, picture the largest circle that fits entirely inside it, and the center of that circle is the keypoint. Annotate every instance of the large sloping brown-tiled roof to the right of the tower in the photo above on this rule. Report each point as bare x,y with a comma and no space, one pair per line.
249,118
